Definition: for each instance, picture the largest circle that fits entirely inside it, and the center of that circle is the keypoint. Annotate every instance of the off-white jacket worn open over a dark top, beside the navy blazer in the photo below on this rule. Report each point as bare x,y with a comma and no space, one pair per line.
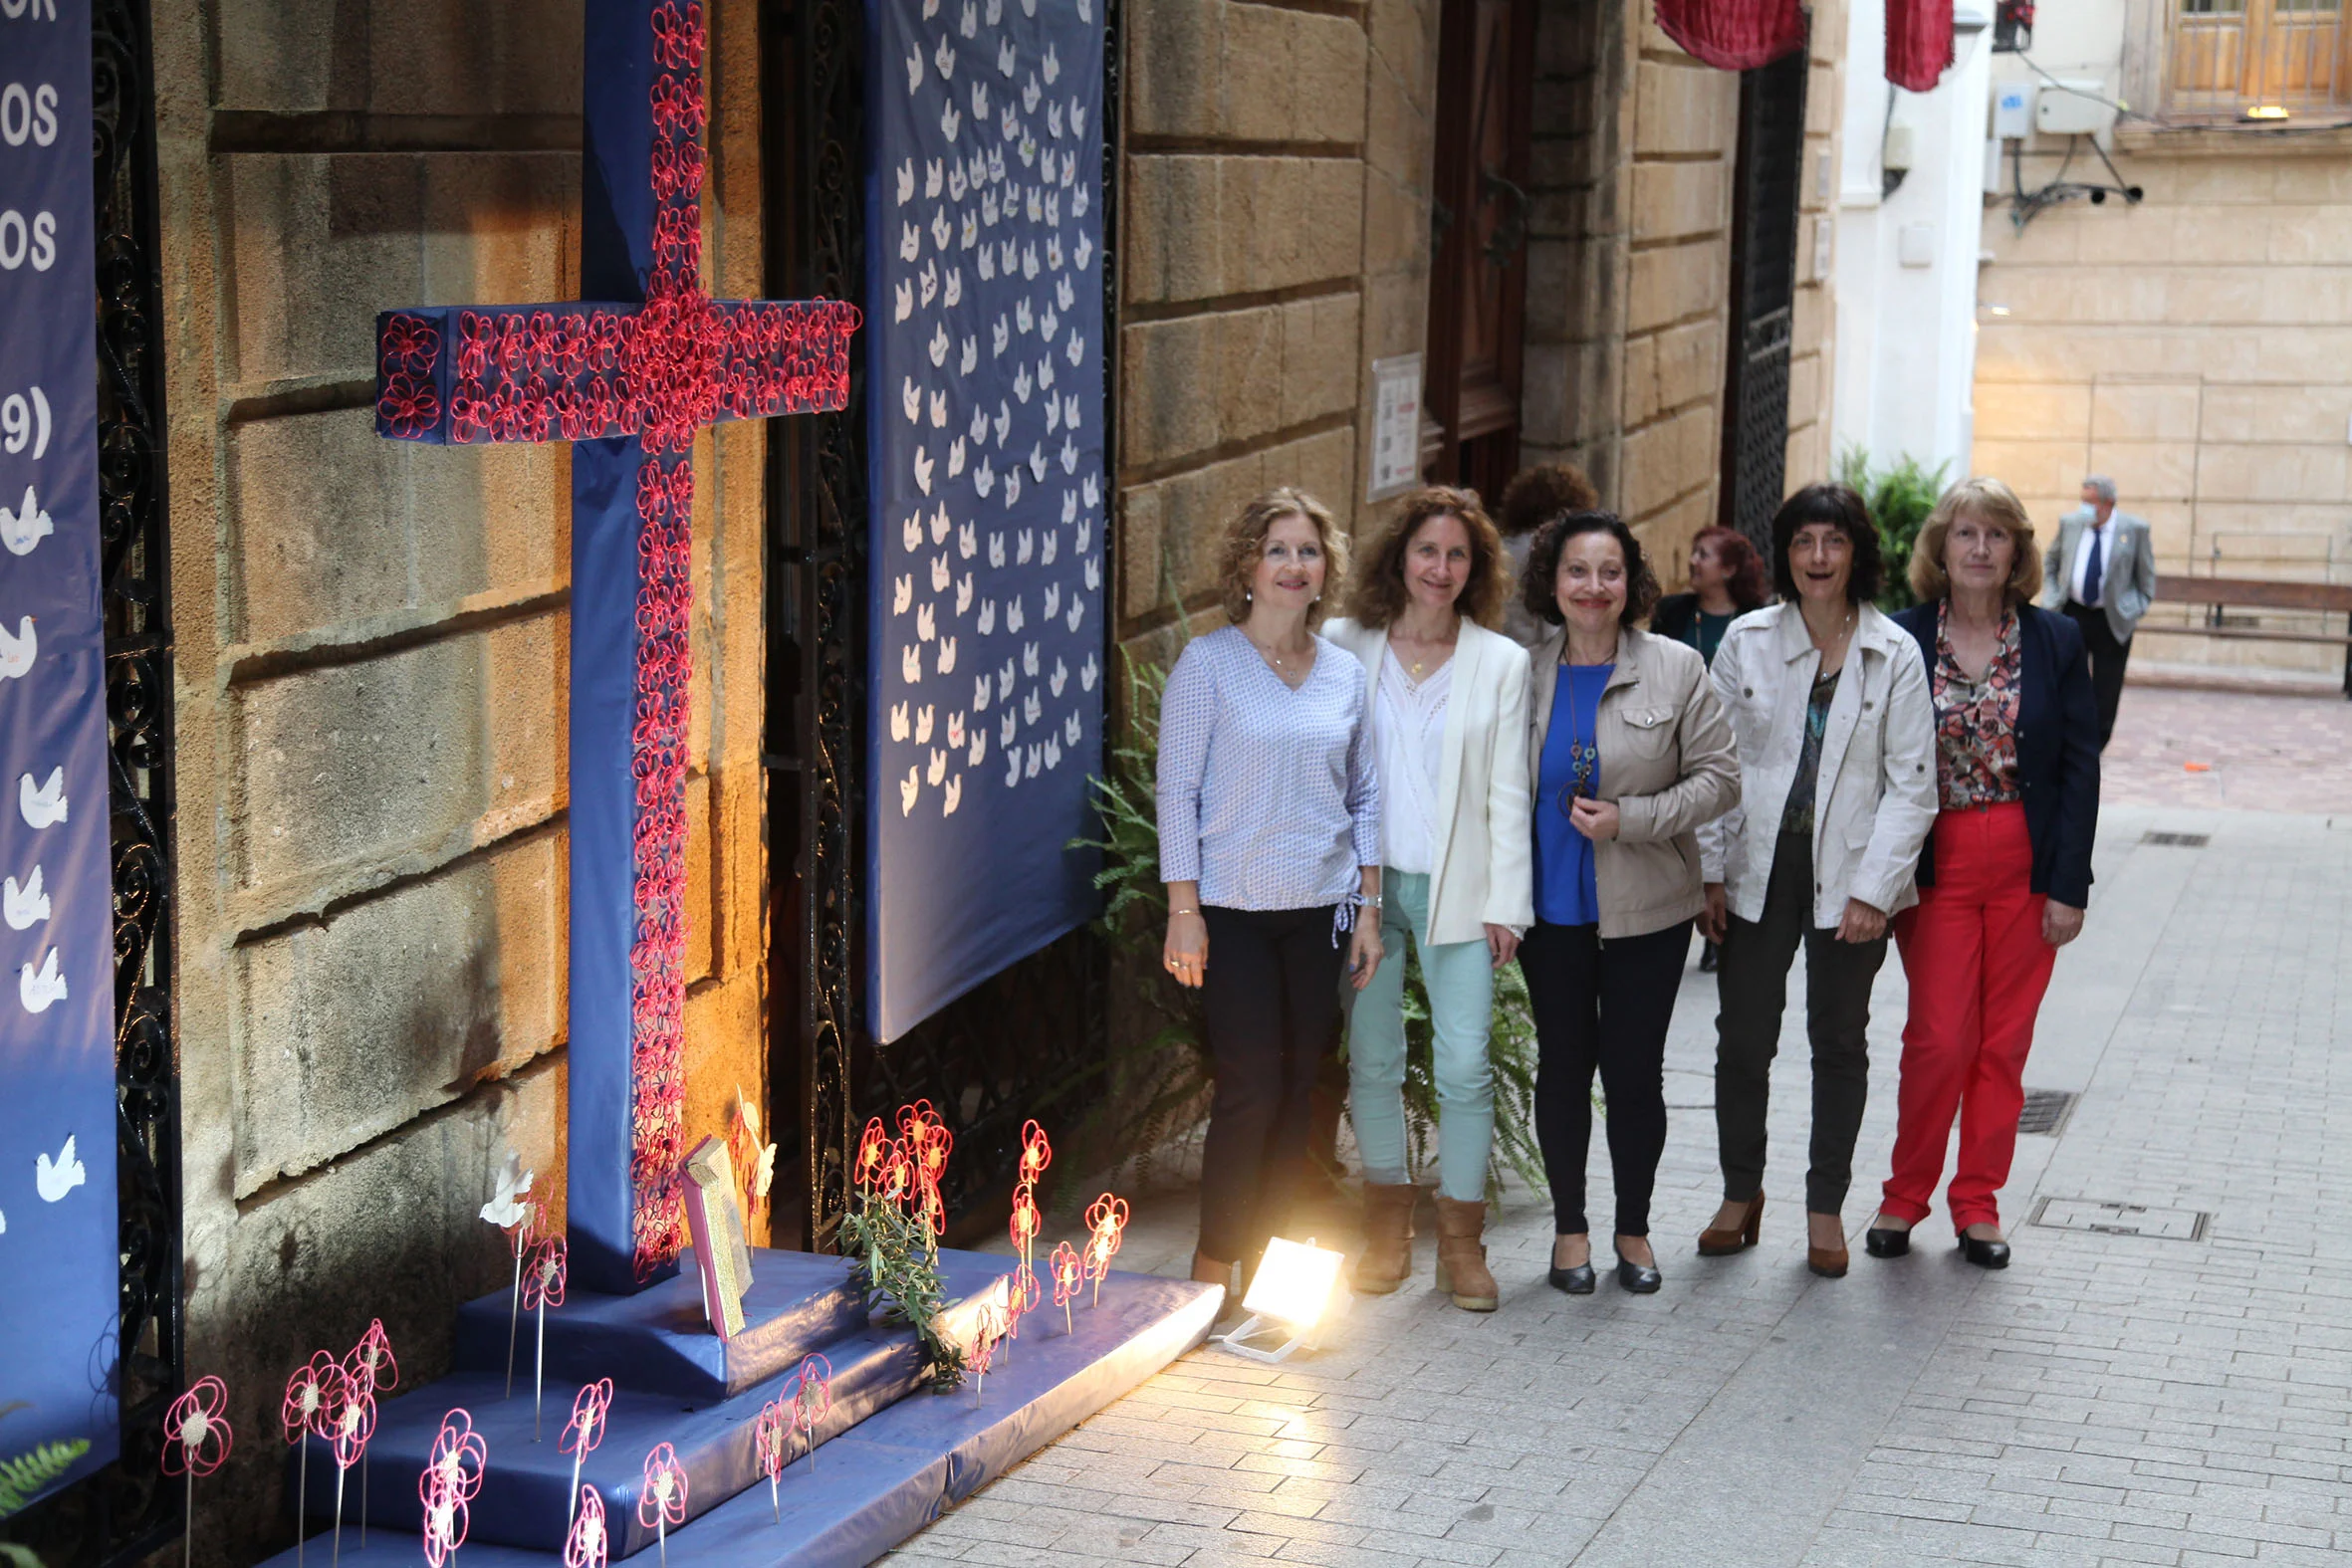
1876,793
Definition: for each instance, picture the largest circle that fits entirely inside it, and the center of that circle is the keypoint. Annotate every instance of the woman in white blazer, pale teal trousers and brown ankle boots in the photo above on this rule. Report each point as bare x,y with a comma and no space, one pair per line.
1448,702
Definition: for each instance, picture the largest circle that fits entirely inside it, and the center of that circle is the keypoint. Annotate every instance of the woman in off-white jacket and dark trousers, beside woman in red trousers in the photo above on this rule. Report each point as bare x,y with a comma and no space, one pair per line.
1838,782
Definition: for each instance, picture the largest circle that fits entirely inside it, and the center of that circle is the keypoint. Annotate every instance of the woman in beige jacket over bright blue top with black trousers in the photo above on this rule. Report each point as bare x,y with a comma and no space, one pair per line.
1629,756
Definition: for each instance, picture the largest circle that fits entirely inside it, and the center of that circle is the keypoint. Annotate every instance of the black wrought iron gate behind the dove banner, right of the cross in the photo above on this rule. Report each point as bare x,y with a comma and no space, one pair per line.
1020,1045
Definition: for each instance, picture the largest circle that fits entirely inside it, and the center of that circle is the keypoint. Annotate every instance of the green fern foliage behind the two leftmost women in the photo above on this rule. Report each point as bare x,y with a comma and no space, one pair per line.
1170,1073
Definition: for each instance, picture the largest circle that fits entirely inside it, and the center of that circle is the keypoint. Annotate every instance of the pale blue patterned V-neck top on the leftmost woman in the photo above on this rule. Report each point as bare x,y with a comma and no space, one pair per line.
1267,796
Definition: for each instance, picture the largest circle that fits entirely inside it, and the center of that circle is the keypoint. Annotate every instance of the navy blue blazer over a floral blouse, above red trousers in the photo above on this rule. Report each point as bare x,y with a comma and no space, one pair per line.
2057,749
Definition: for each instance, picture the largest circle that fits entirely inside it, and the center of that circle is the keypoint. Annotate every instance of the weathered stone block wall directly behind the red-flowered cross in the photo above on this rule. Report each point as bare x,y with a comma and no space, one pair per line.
373,676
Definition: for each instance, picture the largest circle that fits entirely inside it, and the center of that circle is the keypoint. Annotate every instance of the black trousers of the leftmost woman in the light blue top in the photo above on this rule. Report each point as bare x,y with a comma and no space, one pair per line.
1271,1000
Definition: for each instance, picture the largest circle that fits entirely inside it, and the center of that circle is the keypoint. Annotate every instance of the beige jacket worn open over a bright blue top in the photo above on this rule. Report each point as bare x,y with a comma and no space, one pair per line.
1666,763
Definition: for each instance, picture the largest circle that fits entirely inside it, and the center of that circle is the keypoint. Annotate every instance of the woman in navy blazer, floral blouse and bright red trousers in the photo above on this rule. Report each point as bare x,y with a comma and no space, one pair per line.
2007,871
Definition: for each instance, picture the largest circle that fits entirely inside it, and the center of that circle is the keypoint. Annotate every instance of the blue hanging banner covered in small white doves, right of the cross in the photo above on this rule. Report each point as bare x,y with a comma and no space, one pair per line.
987,415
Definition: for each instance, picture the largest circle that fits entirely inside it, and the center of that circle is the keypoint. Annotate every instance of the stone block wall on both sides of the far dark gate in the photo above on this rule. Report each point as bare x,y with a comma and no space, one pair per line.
1631,267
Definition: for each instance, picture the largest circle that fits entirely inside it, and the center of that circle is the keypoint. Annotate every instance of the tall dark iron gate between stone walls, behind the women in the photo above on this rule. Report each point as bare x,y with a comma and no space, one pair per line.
1765,295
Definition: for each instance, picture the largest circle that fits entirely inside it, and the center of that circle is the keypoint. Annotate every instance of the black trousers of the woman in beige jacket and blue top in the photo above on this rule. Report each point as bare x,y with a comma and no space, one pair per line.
1603,1005
